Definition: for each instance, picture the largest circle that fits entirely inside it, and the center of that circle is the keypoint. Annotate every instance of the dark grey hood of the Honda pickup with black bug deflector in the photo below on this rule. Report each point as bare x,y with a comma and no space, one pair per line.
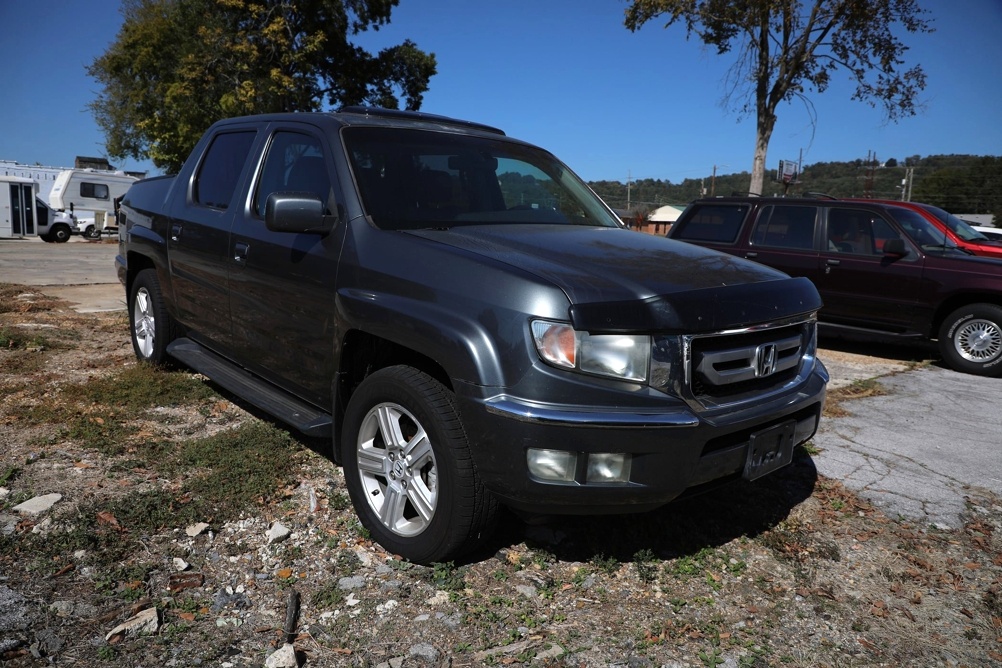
620,281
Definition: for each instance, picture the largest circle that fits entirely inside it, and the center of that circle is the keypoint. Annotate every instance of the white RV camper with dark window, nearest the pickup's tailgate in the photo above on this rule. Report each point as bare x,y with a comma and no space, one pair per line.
91,196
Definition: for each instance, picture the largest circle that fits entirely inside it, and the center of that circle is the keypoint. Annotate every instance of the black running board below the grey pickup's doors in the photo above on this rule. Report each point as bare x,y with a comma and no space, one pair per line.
265,396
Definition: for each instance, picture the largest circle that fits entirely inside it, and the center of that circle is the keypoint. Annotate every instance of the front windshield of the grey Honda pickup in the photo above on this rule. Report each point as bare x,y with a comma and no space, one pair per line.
413,180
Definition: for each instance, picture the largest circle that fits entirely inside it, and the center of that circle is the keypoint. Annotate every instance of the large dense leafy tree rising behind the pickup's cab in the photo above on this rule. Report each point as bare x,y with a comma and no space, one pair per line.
177,67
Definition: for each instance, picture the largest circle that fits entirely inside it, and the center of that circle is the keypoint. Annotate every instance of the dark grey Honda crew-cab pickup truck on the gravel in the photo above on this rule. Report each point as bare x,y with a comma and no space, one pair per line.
466,321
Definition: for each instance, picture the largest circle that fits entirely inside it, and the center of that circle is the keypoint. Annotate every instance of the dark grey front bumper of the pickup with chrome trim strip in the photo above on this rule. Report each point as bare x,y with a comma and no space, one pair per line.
674,449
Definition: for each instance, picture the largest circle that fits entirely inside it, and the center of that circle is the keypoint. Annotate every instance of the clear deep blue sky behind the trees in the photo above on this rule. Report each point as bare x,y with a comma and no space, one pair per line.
565,75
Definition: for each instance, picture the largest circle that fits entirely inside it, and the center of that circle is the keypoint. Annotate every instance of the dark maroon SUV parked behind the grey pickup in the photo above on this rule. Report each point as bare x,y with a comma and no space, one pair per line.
880,267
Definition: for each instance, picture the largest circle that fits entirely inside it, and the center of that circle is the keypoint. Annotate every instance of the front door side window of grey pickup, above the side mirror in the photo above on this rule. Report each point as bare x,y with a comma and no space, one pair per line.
295,164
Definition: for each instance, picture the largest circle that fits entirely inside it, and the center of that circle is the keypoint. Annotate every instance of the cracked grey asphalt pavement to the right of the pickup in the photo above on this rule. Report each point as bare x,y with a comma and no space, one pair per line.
915,451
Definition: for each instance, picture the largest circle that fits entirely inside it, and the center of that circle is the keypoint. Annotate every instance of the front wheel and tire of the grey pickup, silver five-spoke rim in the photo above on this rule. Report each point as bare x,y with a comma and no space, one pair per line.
409,470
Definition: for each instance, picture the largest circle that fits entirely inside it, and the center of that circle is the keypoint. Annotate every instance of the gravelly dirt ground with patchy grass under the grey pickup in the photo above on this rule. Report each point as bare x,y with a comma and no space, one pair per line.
143,561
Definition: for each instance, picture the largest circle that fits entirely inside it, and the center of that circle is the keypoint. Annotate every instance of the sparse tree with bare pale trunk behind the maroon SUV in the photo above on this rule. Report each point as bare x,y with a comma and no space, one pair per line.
786,49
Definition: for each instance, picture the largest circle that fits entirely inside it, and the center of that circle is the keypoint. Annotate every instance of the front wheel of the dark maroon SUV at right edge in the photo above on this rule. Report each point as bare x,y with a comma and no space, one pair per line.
970,340
